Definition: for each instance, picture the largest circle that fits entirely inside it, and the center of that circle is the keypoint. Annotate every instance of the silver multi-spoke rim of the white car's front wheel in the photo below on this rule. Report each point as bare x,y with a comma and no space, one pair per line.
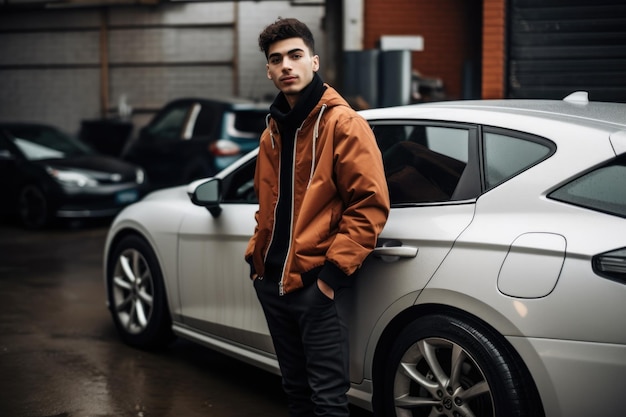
132,291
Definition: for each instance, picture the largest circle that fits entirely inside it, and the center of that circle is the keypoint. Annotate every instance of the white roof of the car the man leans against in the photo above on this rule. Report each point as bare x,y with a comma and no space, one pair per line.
581,112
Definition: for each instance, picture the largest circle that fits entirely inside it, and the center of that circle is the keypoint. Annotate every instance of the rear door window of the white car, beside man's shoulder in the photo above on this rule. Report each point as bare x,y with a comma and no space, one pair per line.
423,163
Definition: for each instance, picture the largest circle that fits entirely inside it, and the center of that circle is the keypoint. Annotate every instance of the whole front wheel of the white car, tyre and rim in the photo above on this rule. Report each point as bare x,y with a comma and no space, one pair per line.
137,297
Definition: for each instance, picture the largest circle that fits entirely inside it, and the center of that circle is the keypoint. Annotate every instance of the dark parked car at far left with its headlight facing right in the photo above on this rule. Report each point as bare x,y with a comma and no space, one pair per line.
47,174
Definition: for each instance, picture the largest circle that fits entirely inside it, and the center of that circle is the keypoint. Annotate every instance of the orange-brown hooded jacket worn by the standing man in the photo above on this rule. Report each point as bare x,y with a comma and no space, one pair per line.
341,201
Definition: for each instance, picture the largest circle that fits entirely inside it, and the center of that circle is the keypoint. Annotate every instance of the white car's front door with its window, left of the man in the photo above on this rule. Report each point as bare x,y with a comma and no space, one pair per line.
217,295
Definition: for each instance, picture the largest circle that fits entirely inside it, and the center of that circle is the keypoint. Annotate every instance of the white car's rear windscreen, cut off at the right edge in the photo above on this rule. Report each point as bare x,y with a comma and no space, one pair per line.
601,189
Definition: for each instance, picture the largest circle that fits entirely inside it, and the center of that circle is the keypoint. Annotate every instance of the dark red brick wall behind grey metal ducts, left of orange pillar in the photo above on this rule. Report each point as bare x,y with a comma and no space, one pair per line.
445,26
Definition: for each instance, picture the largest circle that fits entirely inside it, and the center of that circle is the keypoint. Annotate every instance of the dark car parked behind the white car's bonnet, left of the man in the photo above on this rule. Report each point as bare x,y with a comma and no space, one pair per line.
194,138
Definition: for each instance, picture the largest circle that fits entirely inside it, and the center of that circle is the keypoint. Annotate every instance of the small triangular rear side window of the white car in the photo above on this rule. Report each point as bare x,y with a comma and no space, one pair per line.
506,156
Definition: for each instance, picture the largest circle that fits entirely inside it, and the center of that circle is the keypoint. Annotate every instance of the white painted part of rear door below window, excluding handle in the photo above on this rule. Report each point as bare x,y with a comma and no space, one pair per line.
388,279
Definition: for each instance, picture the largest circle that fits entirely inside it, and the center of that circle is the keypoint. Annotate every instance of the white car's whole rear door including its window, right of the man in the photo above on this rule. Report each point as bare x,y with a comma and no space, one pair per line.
432,175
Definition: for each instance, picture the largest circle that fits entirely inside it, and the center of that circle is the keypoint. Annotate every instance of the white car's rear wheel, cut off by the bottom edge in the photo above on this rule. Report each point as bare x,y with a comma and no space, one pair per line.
442,365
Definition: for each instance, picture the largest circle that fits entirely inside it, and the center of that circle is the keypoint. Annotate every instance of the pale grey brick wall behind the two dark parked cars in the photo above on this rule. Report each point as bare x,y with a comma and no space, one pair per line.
50,60
